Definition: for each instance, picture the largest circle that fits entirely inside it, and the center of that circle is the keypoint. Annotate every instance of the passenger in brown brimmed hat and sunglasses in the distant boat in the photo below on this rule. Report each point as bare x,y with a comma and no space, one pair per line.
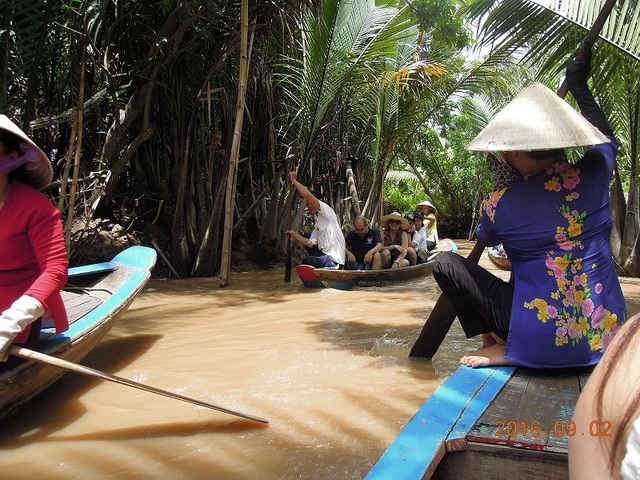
396,251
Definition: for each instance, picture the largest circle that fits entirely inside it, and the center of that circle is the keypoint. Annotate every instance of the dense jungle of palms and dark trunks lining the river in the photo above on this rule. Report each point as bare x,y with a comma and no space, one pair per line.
179,119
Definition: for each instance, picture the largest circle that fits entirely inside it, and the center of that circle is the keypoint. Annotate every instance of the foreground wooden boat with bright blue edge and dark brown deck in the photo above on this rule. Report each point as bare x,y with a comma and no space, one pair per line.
498,422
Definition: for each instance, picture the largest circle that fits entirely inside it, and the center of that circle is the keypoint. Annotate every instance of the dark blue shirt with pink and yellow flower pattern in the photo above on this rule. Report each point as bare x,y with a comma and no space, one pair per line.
555,227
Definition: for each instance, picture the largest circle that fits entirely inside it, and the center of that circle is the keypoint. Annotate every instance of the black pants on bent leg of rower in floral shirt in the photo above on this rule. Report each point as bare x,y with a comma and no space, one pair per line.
481,300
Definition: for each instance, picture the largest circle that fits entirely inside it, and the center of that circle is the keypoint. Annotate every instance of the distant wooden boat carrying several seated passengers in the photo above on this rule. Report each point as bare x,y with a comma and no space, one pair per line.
332,277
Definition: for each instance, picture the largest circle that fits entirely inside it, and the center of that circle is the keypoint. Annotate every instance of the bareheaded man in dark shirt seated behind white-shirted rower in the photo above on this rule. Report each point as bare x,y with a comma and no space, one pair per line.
363,246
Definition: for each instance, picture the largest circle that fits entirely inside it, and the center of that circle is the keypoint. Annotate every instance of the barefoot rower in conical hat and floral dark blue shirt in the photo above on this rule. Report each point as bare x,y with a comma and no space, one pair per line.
563,303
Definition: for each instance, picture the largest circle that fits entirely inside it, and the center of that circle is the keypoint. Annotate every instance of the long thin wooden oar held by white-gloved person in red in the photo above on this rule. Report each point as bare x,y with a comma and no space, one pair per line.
74,367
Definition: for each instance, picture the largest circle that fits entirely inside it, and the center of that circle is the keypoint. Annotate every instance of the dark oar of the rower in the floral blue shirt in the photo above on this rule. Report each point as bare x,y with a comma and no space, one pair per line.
442,316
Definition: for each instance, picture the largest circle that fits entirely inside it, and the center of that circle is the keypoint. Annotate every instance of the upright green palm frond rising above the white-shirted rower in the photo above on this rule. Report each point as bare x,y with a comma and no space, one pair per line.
342,45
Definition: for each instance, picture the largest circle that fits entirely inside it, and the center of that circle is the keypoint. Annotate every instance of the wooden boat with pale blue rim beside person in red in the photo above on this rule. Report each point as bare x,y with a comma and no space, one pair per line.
96,296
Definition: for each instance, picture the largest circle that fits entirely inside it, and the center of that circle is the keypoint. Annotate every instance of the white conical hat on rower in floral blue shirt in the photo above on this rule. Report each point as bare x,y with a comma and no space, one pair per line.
536,119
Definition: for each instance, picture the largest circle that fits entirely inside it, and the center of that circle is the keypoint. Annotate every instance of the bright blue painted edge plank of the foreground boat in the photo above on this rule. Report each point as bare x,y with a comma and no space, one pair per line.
421,444
